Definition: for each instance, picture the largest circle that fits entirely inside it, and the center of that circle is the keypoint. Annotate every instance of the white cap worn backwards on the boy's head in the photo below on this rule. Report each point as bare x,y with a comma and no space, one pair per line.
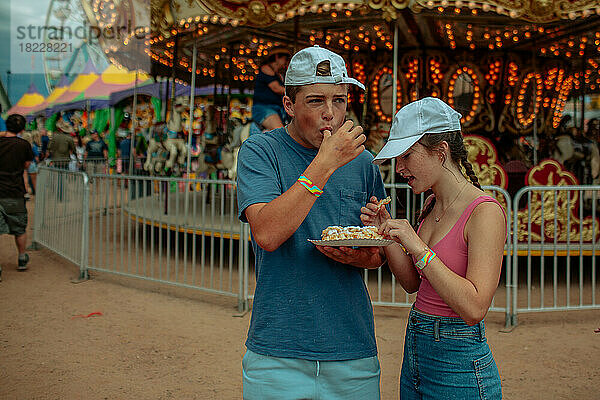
302,69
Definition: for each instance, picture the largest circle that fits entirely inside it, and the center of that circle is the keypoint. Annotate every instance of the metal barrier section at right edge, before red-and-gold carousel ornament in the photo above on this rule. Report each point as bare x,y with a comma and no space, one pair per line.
557,241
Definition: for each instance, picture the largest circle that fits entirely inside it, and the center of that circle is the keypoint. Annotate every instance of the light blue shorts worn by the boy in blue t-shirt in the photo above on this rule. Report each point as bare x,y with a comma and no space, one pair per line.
266,378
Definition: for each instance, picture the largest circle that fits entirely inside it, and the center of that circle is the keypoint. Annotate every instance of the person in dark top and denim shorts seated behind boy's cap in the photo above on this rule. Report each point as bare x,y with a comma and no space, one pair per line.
267,103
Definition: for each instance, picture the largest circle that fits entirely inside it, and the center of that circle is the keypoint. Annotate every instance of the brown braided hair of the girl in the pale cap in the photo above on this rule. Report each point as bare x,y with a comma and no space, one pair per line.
458,154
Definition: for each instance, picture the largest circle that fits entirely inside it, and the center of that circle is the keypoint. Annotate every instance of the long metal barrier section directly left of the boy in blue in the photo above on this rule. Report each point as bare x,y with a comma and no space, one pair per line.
177,231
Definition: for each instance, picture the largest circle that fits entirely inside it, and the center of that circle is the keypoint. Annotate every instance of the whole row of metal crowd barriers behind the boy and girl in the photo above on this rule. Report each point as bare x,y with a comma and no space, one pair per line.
185,232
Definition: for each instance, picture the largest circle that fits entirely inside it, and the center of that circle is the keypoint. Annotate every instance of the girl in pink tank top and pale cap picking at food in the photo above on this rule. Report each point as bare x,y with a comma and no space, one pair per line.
453,259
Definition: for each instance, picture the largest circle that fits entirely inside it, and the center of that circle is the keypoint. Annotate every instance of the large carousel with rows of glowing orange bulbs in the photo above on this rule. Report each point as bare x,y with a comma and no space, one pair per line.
509,67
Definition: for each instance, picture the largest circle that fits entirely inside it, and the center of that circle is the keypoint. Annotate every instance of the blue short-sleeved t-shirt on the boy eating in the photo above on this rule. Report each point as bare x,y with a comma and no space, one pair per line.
306,305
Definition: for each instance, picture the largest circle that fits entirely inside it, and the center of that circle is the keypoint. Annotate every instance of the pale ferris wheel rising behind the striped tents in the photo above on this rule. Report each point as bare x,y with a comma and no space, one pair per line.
66,34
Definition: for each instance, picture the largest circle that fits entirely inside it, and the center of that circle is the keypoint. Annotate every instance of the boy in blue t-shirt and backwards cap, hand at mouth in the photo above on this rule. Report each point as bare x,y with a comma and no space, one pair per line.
311,333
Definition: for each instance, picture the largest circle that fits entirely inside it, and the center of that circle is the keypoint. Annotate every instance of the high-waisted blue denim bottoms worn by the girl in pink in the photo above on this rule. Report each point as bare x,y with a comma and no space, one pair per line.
444,358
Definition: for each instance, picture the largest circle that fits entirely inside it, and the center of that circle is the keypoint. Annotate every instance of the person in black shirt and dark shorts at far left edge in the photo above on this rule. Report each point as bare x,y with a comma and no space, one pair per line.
16,155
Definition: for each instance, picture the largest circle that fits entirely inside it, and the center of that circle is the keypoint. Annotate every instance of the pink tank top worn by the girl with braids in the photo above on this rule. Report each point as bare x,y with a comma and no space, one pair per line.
453,252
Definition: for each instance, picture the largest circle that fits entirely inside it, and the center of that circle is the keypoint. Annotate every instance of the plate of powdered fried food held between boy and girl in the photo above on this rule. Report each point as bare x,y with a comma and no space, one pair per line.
351,236
